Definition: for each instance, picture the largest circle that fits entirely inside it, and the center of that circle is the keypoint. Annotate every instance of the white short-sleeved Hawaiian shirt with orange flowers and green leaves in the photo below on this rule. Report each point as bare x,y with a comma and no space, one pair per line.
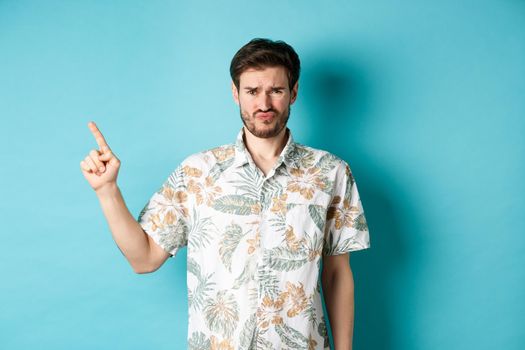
255,242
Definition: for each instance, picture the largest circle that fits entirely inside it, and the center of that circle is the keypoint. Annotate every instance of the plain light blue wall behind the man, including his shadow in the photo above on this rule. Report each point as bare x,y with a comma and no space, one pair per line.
424,99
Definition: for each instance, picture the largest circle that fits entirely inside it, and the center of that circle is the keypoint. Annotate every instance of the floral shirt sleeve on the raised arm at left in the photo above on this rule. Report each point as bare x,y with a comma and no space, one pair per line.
165,217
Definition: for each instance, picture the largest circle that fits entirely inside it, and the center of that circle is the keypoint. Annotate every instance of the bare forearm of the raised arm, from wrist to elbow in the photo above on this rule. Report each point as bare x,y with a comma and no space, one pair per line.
126,231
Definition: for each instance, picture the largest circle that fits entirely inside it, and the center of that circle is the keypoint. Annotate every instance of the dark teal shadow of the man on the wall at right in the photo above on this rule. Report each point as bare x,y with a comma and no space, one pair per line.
339,99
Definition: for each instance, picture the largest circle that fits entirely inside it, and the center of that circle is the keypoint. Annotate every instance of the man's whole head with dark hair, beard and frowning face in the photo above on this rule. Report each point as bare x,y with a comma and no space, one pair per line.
265,78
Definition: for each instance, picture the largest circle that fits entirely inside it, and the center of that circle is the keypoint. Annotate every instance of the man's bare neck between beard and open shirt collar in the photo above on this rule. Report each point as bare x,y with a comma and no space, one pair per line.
265,149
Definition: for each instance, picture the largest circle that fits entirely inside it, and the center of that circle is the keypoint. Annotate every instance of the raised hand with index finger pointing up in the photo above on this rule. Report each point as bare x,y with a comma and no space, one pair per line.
100,167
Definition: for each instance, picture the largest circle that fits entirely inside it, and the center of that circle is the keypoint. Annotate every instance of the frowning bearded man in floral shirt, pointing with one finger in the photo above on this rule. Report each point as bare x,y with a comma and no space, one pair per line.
258,216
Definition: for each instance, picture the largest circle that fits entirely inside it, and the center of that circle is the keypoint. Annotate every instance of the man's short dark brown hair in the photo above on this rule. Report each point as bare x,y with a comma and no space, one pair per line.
260,53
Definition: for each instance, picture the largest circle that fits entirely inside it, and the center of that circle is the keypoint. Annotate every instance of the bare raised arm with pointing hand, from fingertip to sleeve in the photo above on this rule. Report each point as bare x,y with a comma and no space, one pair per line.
100,168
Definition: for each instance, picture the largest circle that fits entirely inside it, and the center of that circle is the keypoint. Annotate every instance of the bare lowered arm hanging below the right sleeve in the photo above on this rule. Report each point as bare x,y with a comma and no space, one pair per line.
339,298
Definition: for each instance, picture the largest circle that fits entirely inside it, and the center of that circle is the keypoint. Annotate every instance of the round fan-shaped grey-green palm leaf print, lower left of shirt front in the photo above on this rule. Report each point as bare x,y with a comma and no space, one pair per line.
222,314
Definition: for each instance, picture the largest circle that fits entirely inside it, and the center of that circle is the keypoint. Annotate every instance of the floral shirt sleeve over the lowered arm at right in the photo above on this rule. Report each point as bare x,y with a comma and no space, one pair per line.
346,228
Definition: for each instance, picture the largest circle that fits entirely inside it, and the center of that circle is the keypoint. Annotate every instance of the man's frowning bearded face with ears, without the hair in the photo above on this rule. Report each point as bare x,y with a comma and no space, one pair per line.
264,100
